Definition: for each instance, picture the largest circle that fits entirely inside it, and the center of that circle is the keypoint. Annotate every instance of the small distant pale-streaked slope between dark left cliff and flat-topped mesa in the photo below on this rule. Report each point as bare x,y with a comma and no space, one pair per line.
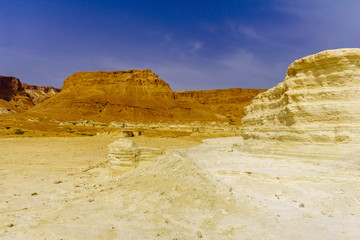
39,94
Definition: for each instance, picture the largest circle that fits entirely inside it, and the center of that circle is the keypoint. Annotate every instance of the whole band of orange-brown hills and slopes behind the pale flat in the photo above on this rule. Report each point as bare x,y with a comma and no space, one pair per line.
93,102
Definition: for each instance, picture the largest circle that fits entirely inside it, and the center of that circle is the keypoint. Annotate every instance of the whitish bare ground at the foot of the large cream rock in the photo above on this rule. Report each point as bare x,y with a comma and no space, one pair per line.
290,198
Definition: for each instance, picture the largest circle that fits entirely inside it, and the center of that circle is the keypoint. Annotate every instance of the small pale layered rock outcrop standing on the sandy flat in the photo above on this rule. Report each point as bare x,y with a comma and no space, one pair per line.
125,154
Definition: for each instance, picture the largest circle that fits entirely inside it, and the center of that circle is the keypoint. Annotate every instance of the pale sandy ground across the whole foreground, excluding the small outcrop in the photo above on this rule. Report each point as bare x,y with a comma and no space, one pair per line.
210,191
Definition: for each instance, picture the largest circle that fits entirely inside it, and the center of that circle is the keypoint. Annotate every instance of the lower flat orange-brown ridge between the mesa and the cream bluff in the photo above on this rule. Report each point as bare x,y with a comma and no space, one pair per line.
227,102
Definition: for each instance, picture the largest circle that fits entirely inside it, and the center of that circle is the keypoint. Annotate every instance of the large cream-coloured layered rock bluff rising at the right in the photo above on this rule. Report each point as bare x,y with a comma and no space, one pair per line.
314,113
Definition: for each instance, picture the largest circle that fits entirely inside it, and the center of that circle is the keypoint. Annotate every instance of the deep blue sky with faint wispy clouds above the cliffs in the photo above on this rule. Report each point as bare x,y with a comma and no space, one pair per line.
190,44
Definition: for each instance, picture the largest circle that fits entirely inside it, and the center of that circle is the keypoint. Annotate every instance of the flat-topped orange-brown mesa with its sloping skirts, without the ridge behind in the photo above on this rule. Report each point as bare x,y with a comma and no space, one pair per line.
134,95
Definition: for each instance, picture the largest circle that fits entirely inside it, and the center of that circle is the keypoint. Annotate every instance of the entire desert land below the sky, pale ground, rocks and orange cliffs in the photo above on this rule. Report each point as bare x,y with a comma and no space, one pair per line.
104,164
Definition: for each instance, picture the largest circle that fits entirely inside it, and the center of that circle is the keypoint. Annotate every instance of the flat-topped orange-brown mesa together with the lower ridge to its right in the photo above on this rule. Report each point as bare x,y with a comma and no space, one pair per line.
139,95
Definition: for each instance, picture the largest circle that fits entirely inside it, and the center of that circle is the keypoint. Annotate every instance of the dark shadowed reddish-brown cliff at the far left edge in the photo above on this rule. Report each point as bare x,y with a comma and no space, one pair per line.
13,97
